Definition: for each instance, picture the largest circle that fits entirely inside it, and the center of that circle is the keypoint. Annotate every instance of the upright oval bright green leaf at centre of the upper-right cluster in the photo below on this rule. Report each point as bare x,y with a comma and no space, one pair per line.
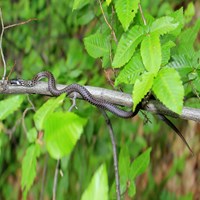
151,53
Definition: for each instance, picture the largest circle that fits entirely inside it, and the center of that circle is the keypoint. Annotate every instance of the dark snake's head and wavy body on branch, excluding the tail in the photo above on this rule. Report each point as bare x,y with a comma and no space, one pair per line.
86,95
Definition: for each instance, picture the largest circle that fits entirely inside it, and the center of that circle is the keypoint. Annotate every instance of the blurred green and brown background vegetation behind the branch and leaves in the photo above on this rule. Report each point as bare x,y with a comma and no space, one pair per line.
54,42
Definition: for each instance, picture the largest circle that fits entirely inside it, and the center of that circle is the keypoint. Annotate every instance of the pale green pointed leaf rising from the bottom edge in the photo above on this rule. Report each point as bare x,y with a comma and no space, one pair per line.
98,187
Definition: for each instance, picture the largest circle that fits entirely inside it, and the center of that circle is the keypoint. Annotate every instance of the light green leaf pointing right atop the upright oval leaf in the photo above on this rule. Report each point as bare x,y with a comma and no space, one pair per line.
163,25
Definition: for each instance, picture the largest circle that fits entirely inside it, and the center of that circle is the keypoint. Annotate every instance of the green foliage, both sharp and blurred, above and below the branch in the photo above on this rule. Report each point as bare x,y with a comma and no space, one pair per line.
153,51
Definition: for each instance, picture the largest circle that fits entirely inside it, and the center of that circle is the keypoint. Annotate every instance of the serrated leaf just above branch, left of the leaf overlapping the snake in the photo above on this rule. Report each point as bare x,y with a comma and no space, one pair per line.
131,71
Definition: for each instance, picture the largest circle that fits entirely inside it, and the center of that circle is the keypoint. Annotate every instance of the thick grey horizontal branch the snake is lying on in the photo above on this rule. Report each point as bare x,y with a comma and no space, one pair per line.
115,97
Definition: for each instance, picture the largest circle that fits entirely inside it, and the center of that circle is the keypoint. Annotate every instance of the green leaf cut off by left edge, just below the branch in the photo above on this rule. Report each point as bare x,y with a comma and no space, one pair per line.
10,105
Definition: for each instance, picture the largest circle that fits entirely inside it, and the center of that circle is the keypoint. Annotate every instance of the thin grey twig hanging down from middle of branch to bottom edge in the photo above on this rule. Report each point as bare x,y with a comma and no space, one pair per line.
111,133
